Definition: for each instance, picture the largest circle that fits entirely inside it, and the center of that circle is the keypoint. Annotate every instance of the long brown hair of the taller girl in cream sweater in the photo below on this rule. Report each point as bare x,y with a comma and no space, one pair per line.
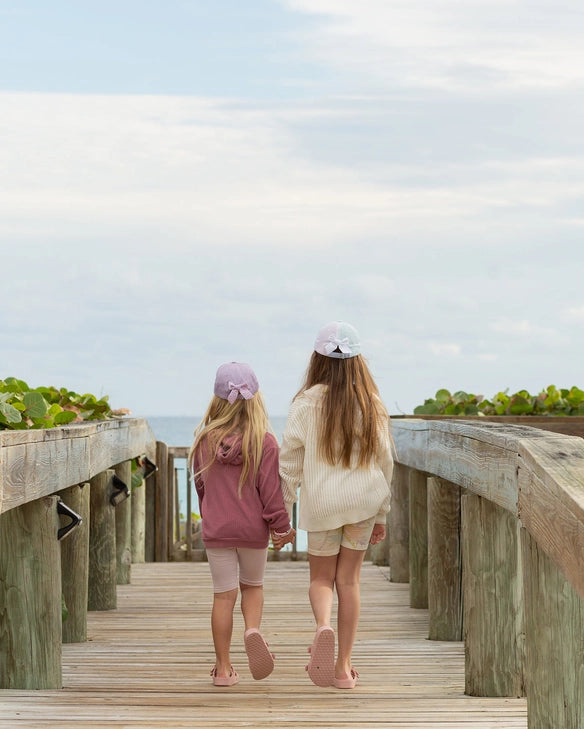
352,411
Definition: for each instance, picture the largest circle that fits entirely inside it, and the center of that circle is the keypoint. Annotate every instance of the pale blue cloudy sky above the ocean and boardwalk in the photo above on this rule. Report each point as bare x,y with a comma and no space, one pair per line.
186,183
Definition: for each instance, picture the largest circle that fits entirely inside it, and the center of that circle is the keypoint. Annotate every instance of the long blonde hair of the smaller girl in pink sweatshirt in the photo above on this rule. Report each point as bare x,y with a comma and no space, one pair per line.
245,418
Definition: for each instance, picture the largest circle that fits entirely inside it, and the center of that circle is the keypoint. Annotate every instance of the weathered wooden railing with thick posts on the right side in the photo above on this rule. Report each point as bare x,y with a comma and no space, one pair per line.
487,526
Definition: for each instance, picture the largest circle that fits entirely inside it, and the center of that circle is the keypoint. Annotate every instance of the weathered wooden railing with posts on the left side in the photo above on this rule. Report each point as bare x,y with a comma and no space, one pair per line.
48,480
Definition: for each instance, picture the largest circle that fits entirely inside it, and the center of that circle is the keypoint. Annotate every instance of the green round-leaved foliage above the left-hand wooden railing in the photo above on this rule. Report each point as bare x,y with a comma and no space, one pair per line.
22,407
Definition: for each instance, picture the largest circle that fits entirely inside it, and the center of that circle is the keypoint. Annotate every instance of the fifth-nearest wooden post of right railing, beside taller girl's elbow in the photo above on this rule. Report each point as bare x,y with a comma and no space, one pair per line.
399,525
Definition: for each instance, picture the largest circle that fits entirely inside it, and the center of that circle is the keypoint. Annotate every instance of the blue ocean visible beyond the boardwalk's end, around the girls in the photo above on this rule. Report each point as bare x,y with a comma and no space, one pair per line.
178,431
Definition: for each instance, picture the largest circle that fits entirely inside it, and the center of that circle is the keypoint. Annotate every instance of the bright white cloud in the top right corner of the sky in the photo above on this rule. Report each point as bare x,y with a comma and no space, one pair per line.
486,45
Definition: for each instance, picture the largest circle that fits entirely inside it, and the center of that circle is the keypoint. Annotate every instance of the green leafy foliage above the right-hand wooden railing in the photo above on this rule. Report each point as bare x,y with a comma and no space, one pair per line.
551,401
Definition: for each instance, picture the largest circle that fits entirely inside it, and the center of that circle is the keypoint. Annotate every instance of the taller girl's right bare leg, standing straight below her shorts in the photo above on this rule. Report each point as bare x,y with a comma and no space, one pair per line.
349,606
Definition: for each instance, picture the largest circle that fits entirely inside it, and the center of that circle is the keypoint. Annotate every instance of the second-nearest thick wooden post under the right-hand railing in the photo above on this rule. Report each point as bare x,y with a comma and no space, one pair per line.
492,599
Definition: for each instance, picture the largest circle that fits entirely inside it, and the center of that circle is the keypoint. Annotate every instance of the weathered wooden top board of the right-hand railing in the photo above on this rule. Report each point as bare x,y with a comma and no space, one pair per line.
535,474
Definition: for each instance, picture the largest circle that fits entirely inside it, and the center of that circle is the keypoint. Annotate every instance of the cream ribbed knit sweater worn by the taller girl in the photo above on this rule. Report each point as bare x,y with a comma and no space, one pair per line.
330,496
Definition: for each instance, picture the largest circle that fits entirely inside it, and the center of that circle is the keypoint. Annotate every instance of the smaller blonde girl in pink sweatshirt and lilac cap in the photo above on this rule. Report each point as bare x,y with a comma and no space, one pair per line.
234,461
